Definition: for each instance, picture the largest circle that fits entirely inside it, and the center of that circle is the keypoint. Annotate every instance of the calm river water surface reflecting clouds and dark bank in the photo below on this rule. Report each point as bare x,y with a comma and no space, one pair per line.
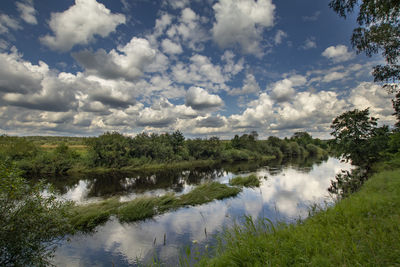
286,193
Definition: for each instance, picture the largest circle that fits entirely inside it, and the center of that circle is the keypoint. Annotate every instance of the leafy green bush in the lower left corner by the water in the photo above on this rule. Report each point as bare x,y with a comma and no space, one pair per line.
30,223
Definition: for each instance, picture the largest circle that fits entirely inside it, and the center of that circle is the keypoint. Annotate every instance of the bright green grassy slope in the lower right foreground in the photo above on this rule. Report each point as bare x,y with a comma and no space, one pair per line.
362,230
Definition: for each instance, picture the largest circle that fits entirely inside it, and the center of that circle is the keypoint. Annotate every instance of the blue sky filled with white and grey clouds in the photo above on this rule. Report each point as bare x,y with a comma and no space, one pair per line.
204,67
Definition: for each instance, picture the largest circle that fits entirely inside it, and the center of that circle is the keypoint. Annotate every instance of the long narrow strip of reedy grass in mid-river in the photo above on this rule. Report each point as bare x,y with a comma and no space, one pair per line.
87,217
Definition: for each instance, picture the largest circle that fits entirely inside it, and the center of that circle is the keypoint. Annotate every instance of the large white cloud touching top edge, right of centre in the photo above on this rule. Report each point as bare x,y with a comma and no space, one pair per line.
250,17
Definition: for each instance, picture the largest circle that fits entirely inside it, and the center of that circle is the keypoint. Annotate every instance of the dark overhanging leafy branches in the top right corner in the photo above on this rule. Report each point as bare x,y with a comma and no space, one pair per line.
378,30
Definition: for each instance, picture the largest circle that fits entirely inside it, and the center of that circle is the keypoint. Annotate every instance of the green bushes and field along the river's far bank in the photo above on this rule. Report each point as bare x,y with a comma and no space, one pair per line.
111,151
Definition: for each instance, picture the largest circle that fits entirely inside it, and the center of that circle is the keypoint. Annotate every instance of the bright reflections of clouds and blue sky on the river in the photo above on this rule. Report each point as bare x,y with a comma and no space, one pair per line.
285,194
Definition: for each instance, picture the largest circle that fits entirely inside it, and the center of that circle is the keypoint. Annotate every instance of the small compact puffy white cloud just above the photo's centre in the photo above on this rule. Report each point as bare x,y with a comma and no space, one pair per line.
200,99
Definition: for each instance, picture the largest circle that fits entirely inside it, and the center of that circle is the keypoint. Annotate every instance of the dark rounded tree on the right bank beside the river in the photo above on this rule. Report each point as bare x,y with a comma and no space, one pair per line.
357,137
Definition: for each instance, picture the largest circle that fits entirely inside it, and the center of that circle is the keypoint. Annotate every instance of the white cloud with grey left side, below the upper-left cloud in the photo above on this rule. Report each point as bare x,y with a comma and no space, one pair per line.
127,62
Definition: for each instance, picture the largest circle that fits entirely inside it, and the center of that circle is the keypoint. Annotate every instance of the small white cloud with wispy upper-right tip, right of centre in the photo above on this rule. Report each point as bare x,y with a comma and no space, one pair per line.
283,90
